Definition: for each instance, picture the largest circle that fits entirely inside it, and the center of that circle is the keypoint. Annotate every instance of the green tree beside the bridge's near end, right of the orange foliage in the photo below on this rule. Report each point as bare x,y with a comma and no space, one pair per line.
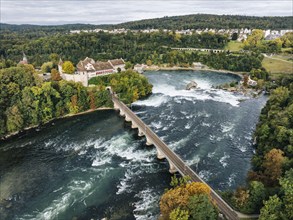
201,208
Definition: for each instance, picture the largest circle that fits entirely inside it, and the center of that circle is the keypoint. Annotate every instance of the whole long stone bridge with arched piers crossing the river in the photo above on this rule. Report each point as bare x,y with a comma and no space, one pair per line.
175,162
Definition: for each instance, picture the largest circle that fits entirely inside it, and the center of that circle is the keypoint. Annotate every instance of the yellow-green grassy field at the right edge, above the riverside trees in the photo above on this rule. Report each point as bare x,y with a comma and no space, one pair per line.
277,66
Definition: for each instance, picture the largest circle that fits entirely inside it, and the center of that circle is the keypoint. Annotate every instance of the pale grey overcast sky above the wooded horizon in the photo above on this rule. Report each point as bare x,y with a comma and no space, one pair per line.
117,11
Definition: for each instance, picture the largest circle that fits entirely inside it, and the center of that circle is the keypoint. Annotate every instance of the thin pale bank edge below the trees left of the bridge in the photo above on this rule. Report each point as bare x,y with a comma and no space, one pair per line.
11,135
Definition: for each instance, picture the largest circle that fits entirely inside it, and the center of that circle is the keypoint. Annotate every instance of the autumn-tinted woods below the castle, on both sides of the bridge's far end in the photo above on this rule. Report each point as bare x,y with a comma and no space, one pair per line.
26,101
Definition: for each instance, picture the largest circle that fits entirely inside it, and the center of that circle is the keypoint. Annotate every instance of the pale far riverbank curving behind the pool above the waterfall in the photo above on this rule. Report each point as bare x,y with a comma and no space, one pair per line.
158,68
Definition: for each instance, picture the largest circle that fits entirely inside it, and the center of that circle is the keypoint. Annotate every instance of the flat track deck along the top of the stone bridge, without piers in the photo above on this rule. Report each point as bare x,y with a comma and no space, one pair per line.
180,165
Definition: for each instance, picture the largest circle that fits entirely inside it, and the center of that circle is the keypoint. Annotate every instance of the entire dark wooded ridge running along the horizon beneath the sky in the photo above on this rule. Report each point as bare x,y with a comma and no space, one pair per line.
197,21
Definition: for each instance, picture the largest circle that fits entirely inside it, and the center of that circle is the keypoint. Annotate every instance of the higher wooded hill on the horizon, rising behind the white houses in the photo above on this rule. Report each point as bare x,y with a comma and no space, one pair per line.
200,21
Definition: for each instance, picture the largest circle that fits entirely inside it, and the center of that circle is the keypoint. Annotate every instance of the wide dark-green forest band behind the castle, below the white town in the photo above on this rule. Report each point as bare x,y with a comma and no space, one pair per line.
151,48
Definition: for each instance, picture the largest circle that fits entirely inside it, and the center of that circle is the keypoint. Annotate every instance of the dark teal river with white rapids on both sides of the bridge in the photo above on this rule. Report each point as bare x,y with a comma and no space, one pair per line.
94,165
